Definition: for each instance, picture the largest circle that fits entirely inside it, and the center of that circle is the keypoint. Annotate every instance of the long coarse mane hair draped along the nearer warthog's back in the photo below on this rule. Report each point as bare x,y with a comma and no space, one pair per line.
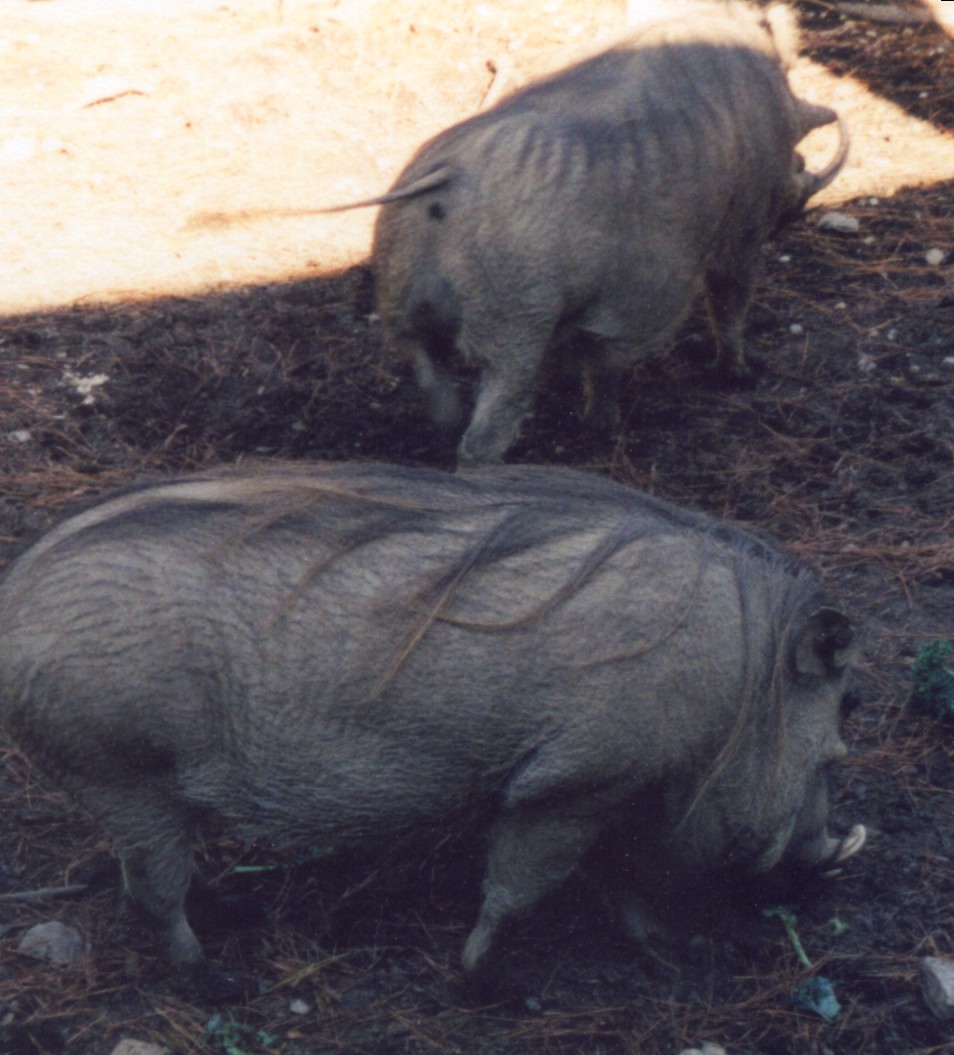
479,521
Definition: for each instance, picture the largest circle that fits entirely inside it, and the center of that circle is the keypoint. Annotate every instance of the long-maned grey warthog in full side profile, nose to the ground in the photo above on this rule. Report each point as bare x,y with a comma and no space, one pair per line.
362,657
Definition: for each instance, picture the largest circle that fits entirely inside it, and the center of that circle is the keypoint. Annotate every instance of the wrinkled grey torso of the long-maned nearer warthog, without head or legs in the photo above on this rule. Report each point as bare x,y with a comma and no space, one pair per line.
361,651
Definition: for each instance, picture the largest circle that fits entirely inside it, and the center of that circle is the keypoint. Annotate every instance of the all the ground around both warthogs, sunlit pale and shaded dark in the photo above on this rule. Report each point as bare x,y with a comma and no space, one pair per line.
160,315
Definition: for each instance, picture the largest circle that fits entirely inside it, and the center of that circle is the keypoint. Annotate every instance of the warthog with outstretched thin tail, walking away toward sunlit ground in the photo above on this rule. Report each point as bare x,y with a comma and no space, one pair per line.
574,225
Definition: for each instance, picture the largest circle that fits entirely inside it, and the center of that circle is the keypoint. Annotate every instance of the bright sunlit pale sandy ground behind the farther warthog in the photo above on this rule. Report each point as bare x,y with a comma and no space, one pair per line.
125,124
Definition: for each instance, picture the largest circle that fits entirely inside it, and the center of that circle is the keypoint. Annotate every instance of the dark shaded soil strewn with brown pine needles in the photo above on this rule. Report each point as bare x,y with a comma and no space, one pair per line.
843,449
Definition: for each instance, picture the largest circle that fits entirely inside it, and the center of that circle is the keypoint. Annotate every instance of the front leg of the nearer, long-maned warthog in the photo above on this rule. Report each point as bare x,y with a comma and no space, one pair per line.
531,853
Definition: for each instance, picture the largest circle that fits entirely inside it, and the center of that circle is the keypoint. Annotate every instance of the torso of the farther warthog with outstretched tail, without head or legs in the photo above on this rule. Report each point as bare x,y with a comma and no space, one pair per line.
657,160
